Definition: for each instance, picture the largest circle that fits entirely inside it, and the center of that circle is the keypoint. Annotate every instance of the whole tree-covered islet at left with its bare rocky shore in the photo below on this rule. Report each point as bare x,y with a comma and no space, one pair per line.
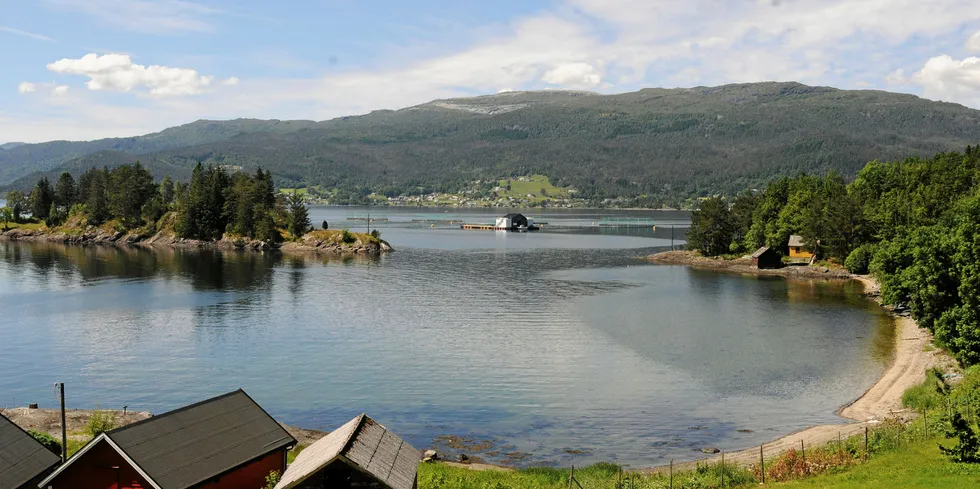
216,208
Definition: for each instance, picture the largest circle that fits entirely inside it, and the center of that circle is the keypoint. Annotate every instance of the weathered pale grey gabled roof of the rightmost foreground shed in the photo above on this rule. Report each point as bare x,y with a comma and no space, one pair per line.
363,444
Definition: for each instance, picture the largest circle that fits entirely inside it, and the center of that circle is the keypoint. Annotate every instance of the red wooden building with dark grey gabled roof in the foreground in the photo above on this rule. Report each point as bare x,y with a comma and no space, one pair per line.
222,443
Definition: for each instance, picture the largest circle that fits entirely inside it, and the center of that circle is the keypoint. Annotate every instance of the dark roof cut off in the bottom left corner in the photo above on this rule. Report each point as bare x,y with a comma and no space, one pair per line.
22,458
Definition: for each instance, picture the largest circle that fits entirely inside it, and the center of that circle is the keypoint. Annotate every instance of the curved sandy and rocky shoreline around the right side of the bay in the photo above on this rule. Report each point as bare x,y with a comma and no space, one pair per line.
882,400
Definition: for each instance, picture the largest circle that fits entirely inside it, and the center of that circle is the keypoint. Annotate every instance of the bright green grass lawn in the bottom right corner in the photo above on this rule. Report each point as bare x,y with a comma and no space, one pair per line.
919,465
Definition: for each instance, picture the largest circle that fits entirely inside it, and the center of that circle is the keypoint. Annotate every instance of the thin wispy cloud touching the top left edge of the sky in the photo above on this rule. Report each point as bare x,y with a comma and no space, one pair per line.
154,17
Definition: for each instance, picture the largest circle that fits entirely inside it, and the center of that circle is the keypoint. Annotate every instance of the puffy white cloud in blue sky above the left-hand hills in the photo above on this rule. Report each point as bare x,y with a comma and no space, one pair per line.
118,72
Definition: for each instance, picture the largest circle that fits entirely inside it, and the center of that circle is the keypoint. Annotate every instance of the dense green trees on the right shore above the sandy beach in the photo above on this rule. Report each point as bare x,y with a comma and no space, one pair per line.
914,224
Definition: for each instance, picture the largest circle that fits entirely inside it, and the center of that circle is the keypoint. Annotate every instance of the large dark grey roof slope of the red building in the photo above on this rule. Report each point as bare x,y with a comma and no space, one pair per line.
192,444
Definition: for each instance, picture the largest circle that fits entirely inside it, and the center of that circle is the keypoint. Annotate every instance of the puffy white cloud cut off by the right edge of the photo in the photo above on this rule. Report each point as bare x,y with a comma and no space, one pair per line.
945,78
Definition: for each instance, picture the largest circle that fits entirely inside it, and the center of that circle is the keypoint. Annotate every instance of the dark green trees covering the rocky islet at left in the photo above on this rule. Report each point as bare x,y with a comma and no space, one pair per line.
213,203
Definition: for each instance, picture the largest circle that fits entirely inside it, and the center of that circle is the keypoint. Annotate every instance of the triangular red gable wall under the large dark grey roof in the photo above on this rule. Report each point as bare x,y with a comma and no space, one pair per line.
94,471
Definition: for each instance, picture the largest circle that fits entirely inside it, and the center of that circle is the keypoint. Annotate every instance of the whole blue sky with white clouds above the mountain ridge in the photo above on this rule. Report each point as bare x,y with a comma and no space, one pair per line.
88,69
